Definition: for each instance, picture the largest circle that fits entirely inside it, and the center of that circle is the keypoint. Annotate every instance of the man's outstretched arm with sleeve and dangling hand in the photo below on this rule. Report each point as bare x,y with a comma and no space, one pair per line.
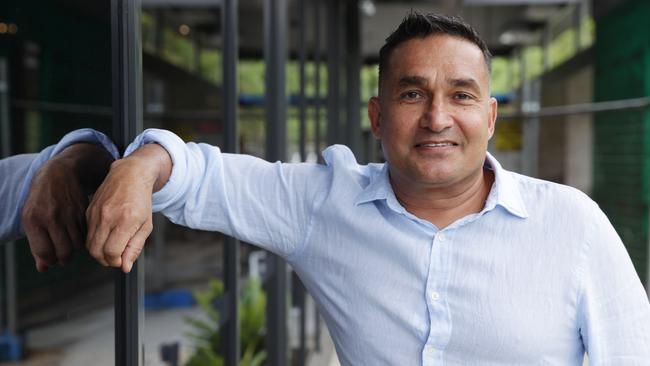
267,204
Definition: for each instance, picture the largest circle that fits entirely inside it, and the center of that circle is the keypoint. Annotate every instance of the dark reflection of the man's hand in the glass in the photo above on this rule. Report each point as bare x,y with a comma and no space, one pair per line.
53,214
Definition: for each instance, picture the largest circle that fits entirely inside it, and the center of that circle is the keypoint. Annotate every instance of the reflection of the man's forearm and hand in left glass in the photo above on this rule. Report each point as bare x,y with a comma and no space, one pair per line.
44,196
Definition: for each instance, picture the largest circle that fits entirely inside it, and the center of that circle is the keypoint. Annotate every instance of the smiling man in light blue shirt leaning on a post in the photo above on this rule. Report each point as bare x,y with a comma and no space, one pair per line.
438,257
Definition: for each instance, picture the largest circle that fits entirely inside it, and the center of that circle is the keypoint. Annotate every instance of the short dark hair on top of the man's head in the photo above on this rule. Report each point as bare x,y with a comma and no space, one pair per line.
418,25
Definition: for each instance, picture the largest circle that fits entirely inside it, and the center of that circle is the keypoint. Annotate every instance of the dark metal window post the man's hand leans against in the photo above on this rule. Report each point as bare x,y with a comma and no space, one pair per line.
127,123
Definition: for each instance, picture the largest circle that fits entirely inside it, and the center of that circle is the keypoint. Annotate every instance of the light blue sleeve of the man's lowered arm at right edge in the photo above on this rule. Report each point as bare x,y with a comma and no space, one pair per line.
616,313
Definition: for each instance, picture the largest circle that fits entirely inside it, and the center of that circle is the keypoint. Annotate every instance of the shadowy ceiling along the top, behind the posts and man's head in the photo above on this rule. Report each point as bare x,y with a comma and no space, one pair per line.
379,17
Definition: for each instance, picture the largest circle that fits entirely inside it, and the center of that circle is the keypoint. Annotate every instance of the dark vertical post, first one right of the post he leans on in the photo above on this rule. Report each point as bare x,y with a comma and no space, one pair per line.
229,19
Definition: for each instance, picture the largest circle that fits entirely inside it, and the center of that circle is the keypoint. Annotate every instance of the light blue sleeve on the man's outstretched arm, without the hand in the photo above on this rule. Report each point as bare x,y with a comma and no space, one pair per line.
267,204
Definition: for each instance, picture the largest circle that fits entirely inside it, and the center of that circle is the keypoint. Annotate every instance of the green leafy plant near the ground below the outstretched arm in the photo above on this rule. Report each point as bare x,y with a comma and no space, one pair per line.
252,317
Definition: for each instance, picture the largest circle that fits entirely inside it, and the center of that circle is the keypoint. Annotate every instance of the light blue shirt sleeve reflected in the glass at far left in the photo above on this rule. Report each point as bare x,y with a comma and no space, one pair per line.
17,173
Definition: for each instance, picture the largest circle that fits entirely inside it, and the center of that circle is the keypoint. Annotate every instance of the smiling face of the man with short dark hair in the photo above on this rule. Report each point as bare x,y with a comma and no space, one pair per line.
434,114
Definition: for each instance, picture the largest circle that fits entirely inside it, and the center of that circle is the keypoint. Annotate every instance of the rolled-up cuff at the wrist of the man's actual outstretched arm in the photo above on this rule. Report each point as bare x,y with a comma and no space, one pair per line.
176,148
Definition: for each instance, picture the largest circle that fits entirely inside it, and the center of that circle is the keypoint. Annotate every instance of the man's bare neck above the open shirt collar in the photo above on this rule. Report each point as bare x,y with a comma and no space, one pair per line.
443,205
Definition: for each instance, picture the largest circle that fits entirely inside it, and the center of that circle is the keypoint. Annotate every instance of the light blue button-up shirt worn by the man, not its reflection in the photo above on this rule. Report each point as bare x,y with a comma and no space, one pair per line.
538,277
